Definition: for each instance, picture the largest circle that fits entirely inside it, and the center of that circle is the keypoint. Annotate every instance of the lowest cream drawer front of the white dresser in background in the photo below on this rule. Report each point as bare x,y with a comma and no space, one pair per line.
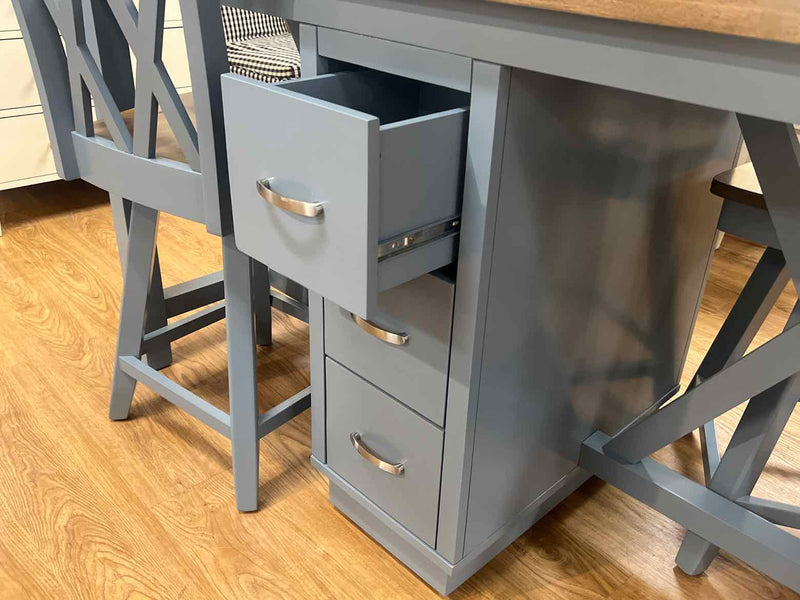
25,151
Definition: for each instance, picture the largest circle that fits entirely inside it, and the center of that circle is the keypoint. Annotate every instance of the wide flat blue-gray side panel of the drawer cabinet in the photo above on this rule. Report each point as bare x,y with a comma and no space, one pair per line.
604,231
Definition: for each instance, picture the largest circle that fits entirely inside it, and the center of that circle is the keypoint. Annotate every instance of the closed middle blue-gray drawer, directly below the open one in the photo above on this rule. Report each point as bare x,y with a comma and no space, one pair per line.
405,349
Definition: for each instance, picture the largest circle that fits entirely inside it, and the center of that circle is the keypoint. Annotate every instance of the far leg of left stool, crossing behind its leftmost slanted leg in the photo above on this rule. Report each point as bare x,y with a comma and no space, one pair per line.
161,357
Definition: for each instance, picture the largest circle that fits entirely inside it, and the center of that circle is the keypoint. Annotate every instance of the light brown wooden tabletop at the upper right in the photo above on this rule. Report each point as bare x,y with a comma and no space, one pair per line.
777,20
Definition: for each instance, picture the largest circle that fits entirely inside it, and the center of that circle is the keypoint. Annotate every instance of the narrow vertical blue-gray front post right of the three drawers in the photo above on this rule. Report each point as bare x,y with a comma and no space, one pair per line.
487,120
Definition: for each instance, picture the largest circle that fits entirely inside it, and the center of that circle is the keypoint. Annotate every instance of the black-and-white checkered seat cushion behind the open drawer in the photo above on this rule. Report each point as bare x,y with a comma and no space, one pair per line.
259,46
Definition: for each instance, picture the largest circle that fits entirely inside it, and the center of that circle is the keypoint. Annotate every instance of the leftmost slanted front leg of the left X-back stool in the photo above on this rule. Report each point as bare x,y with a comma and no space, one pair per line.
139,261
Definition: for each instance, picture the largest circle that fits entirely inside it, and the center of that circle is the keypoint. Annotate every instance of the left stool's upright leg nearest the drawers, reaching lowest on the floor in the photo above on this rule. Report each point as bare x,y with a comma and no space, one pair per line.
240,324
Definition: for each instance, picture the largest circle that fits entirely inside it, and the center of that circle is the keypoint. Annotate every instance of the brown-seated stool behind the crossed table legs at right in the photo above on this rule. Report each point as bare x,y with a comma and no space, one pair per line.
744,214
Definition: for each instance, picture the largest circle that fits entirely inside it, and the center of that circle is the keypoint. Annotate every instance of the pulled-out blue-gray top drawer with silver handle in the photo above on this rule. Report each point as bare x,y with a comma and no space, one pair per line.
378,158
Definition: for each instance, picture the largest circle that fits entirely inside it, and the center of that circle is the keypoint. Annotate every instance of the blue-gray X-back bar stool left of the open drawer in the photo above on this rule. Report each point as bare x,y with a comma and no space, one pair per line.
149,161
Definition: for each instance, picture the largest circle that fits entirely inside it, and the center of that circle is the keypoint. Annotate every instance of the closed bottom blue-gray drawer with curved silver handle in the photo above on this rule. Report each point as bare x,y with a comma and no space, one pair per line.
393,433
